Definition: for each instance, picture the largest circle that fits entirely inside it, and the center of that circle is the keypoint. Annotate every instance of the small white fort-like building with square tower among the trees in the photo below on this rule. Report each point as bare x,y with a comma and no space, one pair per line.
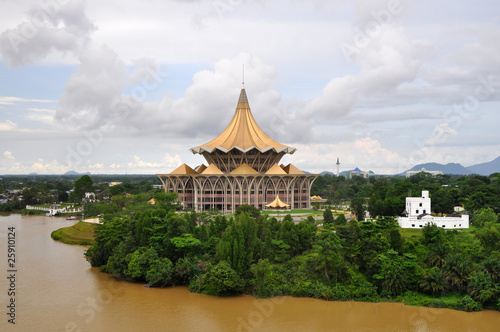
417,215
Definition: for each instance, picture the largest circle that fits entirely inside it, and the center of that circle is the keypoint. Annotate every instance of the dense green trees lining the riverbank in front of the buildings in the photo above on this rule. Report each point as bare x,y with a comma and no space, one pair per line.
251,253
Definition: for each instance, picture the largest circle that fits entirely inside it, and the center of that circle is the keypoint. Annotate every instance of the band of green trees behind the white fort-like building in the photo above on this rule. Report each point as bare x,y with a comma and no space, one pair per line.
385,196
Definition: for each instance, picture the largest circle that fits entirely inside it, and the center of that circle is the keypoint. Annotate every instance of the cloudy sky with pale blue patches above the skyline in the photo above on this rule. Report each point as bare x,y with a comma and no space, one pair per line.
127,87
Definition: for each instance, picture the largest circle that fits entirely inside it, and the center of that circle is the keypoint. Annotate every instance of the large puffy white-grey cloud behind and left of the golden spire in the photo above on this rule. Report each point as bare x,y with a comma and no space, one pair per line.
93,96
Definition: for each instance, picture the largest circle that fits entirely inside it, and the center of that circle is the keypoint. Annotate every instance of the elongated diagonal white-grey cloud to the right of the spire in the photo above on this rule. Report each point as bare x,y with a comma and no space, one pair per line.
387,62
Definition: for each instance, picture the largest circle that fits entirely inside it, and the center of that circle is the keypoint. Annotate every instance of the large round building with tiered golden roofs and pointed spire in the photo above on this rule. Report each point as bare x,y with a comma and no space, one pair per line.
243,168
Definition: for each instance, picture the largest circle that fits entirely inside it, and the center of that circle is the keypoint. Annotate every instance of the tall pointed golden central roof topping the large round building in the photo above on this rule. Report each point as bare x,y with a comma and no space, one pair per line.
243,133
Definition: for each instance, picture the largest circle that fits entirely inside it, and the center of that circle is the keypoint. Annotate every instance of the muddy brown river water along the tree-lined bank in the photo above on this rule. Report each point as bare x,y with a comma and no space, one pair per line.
57,290
